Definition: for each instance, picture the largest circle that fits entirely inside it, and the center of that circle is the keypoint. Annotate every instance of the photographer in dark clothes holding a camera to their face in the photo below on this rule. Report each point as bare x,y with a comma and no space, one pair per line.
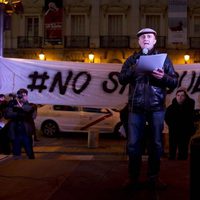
19,112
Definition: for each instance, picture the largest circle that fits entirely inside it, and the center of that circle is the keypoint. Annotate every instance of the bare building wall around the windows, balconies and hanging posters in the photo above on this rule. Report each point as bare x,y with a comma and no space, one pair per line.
97,11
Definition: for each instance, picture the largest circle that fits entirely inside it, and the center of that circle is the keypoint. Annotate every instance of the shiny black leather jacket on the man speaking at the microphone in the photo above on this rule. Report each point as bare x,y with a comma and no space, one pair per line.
146,93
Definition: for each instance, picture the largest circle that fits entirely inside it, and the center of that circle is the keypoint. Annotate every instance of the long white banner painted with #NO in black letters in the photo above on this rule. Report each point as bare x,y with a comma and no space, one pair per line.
73,83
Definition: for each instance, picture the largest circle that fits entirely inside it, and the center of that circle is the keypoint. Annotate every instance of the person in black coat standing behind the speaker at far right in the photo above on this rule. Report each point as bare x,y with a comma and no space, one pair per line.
179,117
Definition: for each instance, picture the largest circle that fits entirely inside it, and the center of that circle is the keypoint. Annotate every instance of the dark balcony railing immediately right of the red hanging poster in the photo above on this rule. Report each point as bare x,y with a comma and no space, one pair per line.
76,41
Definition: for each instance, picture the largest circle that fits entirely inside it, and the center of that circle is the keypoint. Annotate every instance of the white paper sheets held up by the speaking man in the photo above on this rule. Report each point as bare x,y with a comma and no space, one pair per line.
148,63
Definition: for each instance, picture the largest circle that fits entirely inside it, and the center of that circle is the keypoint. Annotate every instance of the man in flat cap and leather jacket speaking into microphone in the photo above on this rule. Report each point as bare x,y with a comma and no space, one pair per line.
147,92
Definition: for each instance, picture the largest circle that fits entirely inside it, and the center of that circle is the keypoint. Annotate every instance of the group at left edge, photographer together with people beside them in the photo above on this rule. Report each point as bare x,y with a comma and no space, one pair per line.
17,127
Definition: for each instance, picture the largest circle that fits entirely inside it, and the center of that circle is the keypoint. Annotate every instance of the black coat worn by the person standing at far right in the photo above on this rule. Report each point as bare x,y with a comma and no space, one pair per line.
180,118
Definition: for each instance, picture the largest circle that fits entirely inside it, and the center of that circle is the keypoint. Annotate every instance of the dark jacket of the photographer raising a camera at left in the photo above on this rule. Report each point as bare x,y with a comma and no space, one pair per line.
17,115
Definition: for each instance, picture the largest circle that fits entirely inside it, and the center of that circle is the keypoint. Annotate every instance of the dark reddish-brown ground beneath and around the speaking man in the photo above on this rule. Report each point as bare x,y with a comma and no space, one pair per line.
66,169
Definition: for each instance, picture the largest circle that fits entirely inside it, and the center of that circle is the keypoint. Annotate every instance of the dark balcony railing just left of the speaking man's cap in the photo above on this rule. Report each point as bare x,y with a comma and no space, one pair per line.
114,41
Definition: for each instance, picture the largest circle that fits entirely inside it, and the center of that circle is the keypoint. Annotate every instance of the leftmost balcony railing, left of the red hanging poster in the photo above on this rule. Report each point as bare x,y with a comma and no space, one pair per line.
29,42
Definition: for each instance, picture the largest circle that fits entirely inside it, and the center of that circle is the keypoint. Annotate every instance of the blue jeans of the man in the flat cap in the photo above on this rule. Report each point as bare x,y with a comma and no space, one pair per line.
137,123
